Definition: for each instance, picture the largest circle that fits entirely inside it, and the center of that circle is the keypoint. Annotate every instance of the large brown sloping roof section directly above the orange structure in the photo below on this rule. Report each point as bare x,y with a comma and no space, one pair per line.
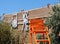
39,13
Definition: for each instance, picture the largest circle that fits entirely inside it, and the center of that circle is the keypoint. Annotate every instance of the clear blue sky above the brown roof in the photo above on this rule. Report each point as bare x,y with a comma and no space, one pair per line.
13,6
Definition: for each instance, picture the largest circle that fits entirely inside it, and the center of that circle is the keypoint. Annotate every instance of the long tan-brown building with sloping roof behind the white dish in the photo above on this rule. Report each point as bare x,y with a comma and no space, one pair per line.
32,14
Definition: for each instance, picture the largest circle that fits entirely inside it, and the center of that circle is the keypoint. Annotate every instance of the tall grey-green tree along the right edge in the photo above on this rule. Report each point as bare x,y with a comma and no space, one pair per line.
54,23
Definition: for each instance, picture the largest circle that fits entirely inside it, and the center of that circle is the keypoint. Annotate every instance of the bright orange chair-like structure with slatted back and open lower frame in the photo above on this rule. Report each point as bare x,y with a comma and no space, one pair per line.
37,27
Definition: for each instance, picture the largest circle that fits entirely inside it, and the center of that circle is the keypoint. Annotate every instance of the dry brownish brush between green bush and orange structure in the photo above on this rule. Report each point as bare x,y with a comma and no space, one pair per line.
20,37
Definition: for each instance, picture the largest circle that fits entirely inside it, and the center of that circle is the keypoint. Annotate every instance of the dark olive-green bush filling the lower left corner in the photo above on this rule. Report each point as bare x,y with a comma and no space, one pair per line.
5,35
